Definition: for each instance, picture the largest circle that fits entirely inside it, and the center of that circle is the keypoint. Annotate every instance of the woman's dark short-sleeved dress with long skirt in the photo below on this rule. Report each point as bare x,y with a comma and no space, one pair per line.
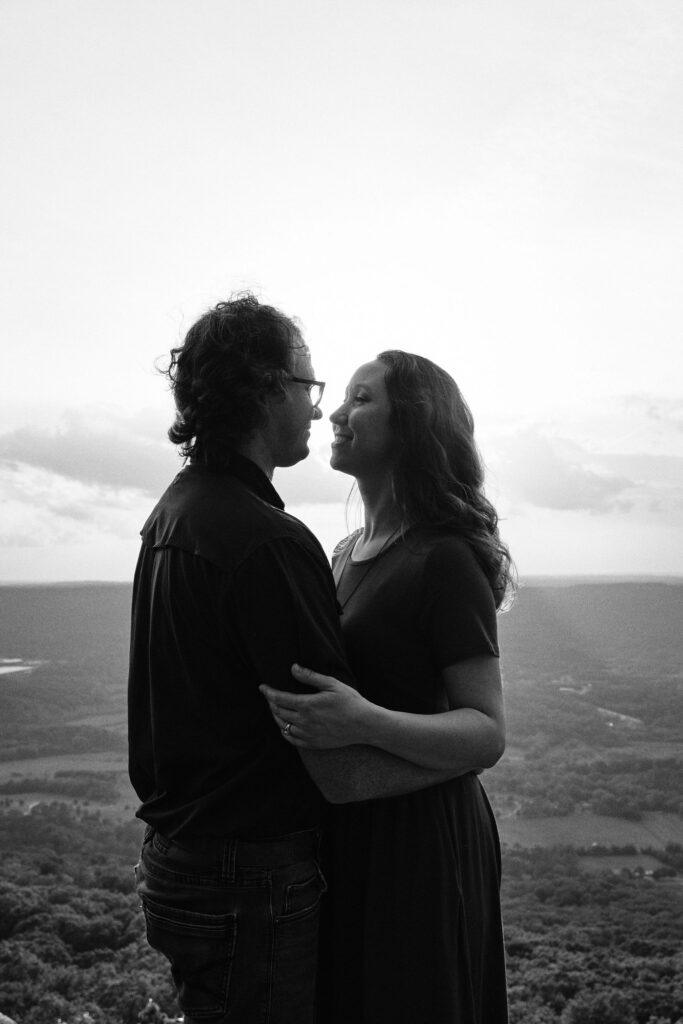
414,932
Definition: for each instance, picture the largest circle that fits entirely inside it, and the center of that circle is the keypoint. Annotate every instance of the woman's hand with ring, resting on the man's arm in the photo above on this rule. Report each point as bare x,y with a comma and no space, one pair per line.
336,716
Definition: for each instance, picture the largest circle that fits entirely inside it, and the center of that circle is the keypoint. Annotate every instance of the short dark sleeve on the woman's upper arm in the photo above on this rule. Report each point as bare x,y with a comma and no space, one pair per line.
458,614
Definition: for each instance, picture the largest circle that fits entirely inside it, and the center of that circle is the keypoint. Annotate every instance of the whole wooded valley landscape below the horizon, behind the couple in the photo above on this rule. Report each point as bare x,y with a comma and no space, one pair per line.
588,794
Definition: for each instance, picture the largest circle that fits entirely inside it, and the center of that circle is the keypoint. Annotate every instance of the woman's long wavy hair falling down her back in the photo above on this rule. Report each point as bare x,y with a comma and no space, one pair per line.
439,474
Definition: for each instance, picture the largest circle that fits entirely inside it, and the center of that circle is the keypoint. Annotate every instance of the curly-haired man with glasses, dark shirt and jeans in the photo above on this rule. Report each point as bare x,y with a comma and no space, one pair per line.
230,591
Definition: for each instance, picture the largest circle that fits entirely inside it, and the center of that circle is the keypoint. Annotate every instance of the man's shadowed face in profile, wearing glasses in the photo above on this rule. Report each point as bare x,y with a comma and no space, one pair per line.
288,430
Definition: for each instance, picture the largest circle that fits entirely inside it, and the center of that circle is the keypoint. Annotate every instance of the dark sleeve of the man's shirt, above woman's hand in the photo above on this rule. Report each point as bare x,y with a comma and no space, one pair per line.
284,601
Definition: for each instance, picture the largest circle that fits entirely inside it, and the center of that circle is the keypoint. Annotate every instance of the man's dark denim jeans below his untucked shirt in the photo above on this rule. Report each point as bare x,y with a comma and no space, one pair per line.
238,922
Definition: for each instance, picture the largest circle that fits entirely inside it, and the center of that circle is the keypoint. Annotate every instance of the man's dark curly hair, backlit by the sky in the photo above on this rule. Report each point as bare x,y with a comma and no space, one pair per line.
235,357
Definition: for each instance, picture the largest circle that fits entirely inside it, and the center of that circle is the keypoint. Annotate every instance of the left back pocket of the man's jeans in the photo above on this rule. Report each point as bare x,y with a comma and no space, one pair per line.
200,949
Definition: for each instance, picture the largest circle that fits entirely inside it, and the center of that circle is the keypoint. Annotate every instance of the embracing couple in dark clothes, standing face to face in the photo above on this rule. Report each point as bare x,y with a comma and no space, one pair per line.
307,748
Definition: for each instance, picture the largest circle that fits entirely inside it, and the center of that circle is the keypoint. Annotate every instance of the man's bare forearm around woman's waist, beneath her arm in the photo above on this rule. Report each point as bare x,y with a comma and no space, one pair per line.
352,774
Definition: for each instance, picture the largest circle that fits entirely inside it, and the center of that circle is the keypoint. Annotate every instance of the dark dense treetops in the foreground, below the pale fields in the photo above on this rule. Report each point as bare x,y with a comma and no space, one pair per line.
582,950
